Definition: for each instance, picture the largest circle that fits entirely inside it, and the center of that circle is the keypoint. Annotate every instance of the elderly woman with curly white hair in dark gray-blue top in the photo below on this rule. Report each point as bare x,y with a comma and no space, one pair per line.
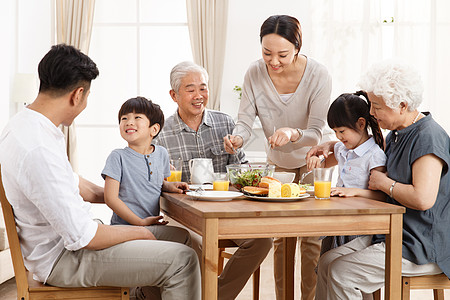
418,158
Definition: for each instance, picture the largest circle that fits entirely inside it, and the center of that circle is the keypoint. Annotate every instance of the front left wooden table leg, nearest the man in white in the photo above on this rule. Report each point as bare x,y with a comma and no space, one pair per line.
210,259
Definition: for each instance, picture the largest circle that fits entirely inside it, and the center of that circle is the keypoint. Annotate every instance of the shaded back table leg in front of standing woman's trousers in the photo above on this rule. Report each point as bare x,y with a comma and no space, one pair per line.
289,267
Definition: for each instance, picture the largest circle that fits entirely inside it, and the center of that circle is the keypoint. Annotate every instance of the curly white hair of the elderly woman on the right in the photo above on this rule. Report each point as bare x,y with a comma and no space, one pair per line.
395,82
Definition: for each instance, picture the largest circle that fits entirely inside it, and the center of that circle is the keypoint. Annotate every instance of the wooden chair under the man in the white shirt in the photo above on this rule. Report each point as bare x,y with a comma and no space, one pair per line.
27,288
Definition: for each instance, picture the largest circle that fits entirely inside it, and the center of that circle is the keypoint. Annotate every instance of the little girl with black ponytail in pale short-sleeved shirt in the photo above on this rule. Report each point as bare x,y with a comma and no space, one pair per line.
356,153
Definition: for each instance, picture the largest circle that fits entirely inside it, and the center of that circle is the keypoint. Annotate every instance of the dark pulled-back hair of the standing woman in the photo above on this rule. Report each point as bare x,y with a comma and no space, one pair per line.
285,26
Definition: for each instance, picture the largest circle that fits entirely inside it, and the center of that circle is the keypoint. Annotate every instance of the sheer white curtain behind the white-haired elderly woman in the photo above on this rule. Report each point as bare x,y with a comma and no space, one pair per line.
350,35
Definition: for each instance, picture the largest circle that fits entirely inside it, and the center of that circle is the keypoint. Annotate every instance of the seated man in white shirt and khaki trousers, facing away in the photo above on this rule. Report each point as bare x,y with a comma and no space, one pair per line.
61,244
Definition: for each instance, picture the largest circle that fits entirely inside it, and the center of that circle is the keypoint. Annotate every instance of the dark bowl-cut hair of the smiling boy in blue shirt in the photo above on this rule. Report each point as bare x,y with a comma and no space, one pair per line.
141,105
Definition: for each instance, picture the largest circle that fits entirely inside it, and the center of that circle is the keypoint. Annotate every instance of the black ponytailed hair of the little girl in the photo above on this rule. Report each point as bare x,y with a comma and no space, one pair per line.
348,108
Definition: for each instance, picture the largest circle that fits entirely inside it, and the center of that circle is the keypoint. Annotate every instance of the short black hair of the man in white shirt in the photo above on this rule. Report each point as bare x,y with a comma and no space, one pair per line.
65,68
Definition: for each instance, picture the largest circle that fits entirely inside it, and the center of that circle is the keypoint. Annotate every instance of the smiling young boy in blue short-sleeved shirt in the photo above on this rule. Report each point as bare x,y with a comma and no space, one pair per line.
134,176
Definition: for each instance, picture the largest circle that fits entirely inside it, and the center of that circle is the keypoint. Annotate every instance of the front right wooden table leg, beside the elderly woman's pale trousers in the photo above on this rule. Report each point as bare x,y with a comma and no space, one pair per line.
393,271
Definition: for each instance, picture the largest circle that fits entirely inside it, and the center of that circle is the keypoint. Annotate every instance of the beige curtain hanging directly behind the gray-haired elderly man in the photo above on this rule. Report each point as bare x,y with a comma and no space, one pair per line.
207,21
